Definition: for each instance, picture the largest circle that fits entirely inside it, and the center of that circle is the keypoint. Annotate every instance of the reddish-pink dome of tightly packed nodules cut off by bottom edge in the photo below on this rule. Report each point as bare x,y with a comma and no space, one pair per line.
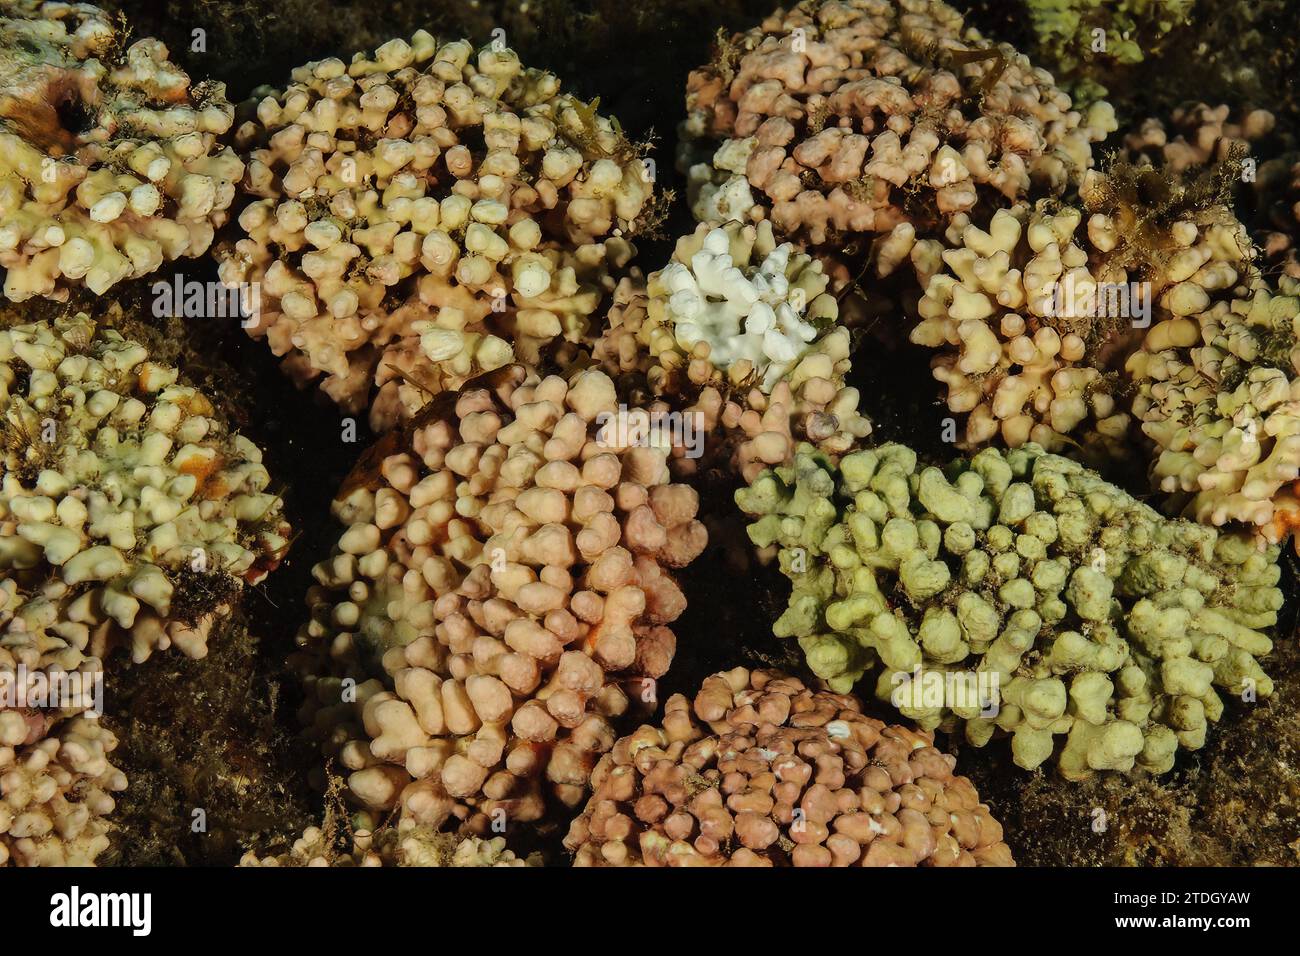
760,771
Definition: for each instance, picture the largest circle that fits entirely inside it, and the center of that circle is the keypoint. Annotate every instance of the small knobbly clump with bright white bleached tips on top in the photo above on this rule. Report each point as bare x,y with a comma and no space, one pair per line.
739,339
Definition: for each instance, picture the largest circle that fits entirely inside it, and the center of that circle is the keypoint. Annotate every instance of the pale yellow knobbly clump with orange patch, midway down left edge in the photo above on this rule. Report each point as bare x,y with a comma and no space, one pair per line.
120,485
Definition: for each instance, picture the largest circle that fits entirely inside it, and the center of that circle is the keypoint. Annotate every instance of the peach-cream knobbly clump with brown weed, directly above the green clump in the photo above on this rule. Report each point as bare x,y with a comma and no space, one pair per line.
1035,314
